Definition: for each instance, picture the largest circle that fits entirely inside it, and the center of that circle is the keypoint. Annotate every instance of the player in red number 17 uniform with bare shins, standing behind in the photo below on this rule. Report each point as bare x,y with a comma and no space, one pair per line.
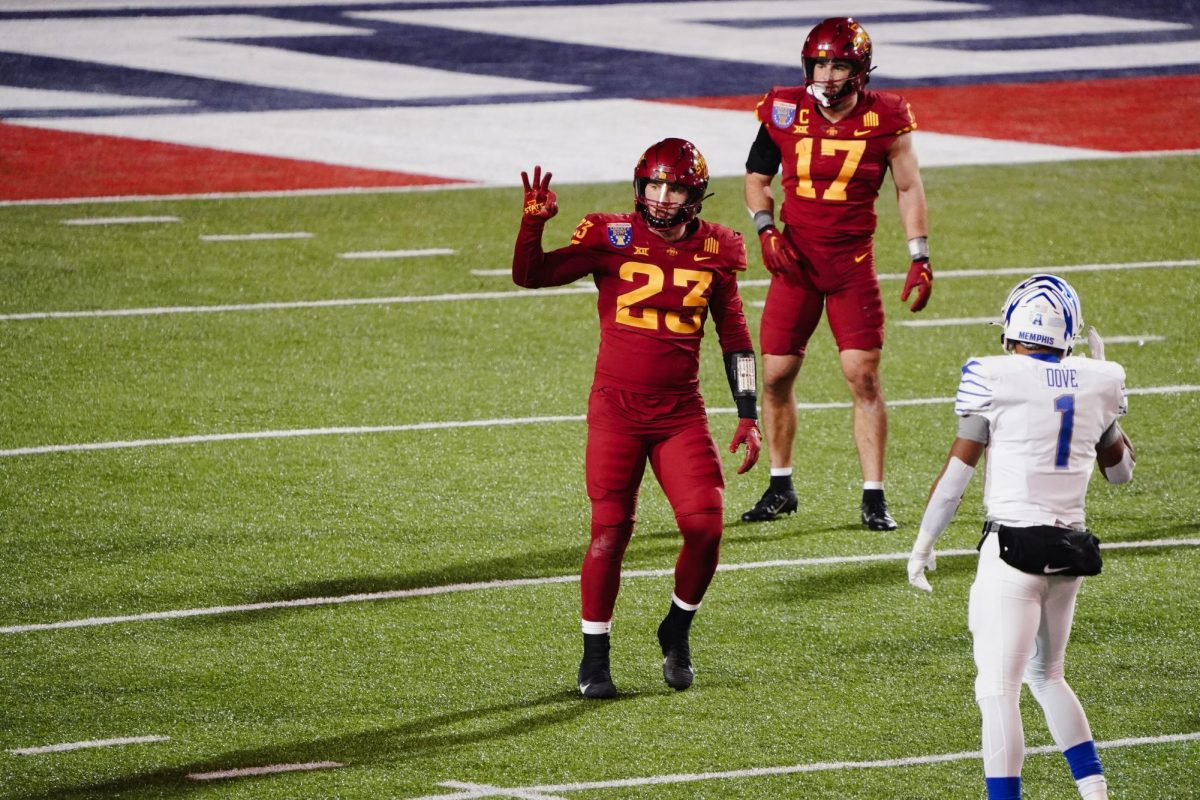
835,141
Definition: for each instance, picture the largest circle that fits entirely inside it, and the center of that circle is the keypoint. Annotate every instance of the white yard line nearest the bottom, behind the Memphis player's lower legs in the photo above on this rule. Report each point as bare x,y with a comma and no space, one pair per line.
545,792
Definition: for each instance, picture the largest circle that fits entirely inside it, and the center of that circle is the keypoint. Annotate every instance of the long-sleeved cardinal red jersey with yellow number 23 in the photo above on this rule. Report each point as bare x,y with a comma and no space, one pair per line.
655,296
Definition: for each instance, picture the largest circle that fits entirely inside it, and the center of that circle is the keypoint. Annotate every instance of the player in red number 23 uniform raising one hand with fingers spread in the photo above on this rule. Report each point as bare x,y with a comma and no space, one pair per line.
661,272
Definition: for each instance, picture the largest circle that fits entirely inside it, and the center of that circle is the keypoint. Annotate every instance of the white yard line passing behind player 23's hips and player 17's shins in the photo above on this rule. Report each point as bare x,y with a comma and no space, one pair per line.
202,438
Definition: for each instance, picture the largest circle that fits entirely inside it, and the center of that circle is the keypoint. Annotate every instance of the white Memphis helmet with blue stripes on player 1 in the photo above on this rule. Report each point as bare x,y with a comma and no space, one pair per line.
1045,311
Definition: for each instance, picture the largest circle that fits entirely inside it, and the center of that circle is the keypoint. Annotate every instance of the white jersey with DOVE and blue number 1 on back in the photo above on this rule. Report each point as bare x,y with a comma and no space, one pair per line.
1045,419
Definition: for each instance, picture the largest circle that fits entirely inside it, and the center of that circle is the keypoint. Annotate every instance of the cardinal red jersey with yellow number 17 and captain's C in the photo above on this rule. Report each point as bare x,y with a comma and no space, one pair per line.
833,171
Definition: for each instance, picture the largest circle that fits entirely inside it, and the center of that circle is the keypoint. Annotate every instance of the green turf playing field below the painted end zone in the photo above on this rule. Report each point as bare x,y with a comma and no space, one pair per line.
814,681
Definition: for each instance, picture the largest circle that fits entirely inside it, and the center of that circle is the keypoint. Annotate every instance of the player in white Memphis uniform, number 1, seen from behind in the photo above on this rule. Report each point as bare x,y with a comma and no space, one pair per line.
1042,417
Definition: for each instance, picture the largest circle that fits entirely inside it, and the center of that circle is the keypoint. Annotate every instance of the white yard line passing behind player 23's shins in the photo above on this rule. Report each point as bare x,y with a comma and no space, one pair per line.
485,586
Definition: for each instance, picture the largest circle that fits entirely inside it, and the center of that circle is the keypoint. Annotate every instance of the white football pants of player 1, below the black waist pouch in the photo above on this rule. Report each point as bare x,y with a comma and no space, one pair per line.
1021,624
